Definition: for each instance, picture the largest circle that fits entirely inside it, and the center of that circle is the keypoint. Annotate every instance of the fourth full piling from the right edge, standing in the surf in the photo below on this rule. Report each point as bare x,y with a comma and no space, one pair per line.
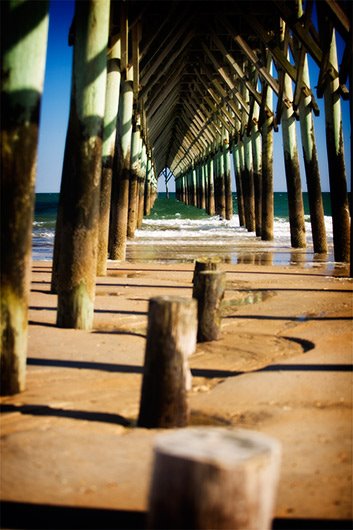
267,165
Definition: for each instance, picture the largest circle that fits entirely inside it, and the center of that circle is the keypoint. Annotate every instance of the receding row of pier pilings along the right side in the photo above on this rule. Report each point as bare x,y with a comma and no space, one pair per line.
205,181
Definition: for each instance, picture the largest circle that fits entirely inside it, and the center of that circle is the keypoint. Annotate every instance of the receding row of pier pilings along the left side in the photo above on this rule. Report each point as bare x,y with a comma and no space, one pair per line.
108,177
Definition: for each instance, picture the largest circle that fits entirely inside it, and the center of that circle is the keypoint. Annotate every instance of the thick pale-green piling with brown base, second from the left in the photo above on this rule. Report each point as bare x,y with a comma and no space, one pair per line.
80,189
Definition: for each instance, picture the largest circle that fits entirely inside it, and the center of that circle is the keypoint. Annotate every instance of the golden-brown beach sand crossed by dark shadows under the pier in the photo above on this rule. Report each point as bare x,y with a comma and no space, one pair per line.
282,367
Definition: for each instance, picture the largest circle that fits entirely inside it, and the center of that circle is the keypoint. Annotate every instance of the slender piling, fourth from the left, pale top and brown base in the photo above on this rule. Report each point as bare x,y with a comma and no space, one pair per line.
123,147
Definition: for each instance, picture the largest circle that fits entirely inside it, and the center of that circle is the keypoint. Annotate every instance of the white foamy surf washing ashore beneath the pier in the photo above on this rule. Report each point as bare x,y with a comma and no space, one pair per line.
187,236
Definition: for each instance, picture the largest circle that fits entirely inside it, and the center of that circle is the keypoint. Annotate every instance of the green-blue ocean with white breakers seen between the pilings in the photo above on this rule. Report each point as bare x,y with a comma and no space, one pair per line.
175,232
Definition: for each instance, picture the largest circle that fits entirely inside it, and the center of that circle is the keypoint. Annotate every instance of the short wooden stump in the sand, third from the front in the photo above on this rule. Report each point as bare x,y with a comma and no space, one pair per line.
209,290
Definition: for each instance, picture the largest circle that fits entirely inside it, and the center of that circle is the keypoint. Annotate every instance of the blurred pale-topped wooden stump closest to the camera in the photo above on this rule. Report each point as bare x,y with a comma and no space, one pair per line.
209,477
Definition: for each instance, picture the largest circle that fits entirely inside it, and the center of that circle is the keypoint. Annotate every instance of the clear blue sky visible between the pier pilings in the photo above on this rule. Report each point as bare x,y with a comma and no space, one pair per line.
56,101
